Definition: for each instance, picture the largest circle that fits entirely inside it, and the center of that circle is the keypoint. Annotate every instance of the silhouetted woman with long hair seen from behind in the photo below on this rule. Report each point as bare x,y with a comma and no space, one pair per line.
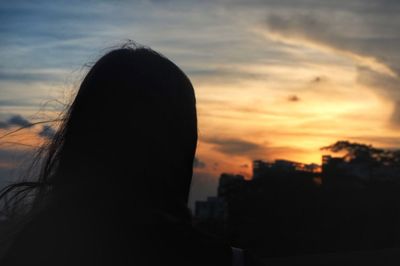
114,185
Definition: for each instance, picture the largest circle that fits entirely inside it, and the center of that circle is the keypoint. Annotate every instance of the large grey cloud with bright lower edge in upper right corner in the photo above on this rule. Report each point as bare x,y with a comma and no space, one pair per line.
371,39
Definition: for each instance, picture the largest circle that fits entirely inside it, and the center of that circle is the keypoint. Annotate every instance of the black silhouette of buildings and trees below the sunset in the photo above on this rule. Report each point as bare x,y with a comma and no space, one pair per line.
349,203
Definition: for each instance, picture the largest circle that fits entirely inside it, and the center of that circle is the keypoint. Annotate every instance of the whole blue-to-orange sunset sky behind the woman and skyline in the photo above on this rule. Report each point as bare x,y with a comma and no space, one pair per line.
273,79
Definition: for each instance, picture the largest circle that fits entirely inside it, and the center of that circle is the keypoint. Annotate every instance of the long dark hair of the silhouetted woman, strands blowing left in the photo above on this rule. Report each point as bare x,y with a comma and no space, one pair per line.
127,140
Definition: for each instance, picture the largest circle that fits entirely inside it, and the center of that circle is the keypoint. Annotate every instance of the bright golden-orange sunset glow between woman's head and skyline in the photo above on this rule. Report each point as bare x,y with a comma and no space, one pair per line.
290,112
